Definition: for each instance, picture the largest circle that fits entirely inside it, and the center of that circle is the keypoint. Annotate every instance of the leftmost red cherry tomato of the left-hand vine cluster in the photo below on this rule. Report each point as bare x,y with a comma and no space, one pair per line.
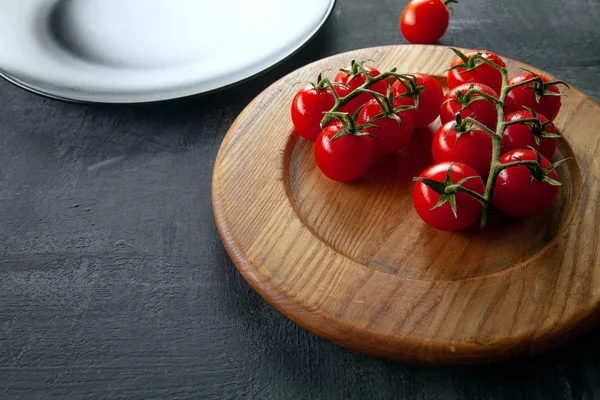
308,107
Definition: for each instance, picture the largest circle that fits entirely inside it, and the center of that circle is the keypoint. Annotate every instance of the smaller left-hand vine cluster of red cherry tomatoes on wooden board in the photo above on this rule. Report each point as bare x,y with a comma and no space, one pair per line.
378,121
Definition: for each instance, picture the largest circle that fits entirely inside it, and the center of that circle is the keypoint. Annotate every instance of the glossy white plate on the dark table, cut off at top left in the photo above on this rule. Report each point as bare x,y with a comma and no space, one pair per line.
123,51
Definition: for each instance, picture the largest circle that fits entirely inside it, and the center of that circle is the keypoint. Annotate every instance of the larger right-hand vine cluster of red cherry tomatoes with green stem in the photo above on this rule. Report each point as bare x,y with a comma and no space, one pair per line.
524,181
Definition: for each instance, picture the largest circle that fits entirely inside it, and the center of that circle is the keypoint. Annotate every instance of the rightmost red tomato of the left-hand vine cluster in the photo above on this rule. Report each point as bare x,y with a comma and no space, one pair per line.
430,100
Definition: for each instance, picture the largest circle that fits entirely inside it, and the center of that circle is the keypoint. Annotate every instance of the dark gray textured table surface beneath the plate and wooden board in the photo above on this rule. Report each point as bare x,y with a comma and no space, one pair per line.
114,282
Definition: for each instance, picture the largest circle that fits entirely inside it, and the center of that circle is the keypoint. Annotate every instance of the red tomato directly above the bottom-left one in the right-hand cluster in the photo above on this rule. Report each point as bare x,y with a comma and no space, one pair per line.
473,148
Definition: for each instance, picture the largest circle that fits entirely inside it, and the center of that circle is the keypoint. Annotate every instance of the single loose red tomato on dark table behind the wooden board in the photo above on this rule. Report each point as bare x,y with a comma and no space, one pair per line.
424,21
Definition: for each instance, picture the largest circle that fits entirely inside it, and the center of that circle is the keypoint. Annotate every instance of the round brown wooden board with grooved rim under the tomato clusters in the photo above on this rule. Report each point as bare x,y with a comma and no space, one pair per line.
354,264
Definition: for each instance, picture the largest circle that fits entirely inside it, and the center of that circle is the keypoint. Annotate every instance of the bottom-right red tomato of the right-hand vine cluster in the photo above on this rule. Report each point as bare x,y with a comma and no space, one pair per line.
516,193
